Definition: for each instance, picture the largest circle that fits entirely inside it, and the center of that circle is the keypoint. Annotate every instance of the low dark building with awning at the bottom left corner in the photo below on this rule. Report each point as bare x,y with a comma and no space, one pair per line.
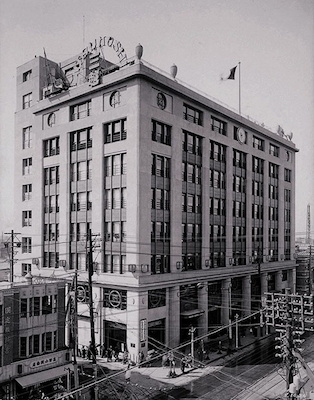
33,355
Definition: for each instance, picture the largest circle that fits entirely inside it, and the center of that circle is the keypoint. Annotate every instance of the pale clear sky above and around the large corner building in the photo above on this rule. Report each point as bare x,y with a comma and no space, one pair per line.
273,40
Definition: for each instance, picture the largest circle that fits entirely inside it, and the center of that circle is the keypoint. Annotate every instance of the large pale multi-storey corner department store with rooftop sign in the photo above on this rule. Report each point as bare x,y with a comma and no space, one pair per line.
190,205
